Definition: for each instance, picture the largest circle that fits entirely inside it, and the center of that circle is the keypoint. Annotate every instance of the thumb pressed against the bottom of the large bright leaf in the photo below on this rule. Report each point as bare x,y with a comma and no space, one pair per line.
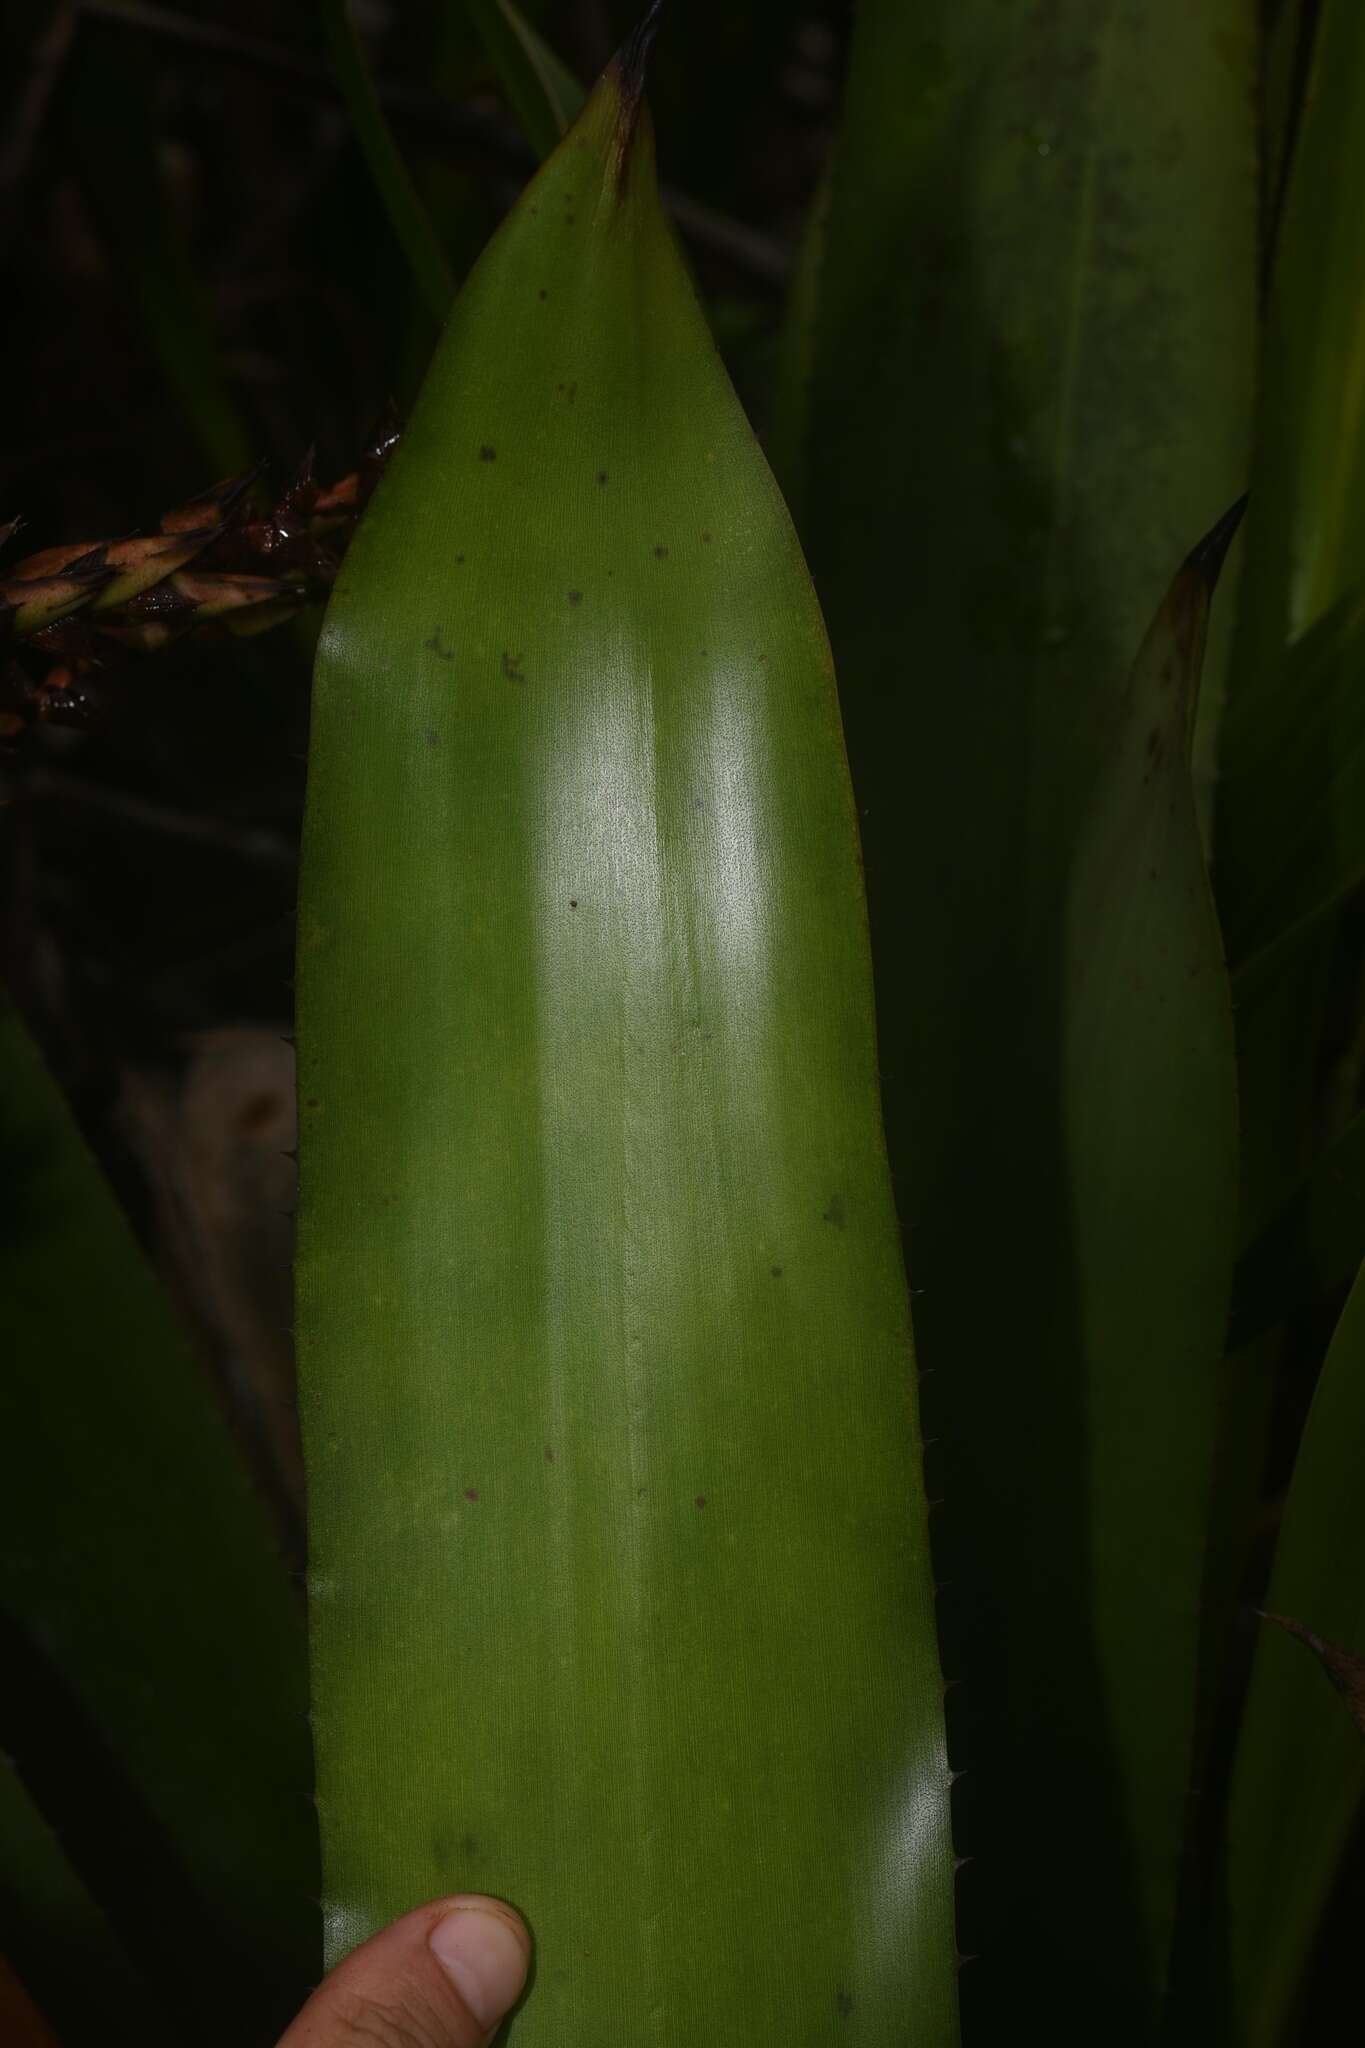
441,1977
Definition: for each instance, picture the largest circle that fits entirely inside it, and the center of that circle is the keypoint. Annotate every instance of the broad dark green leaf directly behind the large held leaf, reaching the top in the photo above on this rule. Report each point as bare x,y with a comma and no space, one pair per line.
1032,386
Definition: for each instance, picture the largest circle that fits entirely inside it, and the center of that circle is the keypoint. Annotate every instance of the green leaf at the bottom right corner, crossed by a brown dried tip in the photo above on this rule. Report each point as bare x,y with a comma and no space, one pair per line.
1301,1766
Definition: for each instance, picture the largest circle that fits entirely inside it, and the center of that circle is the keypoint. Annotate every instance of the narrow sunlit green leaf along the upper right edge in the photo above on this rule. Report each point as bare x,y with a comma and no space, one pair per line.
1307,536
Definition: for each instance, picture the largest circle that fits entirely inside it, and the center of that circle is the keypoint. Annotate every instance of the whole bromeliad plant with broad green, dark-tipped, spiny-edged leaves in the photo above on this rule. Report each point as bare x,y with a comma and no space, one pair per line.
621,1580
